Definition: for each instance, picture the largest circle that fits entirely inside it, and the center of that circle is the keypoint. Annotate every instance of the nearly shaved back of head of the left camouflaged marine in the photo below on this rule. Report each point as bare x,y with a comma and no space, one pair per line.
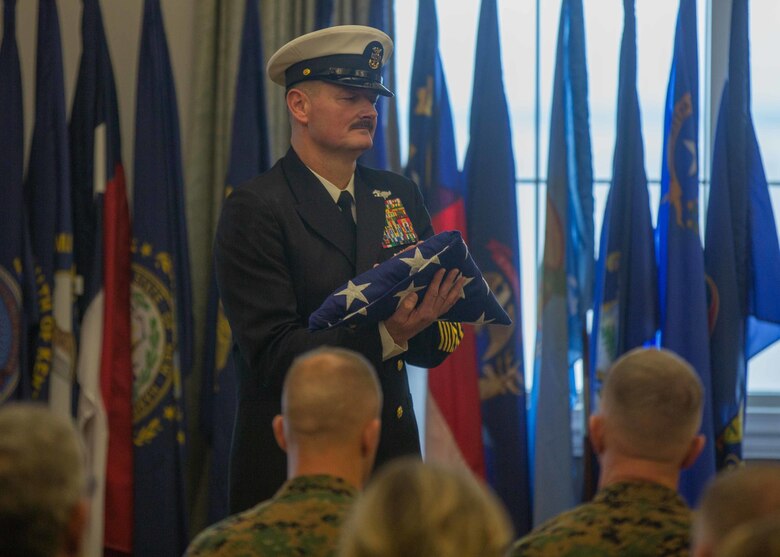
329,396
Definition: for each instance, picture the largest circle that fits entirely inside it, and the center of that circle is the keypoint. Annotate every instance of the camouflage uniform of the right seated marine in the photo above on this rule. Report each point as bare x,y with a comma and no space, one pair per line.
636,518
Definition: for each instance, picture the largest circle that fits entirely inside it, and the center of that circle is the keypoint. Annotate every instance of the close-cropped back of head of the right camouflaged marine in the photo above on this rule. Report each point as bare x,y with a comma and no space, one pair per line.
652,404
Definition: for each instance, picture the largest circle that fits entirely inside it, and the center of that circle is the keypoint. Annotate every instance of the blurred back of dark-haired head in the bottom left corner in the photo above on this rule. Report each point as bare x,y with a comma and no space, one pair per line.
42,480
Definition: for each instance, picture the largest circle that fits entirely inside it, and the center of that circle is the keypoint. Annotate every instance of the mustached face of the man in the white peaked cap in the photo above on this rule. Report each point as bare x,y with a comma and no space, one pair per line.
342,118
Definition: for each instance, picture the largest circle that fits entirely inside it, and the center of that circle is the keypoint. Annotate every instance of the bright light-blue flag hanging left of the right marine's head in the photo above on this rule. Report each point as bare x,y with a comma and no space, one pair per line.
567,271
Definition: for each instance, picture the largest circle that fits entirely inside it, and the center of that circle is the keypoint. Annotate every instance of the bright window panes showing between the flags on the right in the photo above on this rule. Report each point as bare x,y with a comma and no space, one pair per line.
522,50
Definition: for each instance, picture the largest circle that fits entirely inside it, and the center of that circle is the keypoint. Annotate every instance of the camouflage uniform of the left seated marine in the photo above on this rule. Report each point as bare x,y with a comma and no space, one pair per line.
303,518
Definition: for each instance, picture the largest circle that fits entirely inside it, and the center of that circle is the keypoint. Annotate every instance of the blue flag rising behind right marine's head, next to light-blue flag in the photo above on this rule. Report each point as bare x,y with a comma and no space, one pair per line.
625,313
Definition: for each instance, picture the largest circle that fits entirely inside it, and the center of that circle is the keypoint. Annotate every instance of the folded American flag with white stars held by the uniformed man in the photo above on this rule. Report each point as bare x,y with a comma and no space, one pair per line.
374,296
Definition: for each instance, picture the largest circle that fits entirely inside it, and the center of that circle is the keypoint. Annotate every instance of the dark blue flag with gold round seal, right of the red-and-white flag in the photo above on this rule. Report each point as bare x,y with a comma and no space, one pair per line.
161,301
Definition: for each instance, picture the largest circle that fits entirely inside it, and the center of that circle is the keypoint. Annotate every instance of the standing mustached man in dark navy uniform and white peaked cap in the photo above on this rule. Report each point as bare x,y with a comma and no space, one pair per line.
289,237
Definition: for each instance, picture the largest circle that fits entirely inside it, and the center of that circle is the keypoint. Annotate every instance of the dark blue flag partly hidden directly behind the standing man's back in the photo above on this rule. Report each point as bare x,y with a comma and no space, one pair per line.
249,156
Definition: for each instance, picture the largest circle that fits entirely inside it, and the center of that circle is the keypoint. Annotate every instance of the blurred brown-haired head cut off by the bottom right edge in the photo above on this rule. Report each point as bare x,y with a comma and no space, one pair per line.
733,498
